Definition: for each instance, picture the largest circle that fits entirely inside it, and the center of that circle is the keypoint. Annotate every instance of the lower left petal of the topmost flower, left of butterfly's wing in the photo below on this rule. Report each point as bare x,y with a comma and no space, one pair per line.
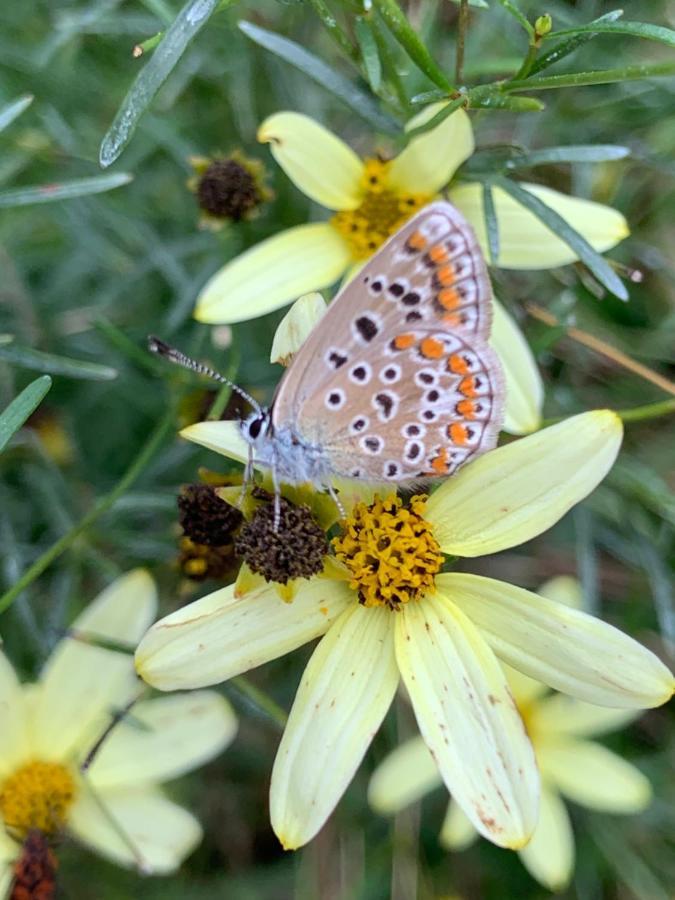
274,272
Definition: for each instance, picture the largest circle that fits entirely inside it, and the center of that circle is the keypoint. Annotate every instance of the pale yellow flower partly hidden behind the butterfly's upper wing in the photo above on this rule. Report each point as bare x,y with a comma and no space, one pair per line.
370,200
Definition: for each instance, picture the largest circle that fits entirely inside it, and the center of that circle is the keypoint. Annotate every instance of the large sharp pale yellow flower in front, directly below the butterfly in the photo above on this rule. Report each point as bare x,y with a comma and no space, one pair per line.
439,633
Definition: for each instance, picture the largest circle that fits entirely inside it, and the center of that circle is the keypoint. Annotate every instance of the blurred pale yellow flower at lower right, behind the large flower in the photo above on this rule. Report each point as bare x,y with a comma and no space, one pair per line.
571,766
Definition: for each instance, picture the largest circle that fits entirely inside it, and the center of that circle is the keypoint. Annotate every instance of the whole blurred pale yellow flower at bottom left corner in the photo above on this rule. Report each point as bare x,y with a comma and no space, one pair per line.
48,728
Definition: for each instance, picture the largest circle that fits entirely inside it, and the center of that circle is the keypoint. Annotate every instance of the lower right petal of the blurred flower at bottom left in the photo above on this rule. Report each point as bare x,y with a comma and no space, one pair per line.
147,830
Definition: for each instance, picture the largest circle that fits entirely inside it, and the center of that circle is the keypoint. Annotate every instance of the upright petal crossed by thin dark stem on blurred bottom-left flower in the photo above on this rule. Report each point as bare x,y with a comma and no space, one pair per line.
81,684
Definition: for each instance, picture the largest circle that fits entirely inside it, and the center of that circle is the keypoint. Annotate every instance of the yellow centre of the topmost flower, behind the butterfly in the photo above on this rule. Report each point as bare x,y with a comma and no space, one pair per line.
381,213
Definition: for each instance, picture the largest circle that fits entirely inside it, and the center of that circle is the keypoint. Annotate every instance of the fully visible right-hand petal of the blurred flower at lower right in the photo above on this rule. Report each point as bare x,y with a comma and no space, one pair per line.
593,776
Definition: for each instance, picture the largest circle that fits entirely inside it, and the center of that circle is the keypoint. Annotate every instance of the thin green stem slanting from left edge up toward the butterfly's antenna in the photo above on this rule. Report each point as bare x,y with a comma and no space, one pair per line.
100,507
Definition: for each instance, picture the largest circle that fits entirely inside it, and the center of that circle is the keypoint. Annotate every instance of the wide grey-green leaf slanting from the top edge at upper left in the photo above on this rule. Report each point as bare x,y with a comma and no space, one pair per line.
193,16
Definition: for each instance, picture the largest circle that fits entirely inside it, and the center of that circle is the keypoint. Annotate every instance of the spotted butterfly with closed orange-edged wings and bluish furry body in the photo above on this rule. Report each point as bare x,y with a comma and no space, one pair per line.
396,382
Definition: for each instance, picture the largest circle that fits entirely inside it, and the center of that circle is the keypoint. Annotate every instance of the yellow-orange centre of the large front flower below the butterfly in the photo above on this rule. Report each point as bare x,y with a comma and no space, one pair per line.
390,551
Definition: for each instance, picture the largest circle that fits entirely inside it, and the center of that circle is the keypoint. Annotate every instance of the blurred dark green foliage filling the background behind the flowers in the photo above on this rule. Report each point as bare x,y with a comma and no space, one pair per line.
89,278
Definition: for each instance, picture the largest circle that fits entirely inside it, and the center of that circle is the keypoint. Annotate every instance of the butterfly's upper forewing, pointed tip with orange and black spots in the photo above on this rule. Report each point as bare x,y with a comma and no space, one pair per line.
429,274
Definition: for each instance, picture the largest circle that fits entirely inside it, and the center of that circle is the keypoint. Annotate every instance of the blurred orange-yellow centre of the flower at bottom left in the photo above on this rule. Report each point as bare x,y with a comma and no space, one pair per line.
37,795
